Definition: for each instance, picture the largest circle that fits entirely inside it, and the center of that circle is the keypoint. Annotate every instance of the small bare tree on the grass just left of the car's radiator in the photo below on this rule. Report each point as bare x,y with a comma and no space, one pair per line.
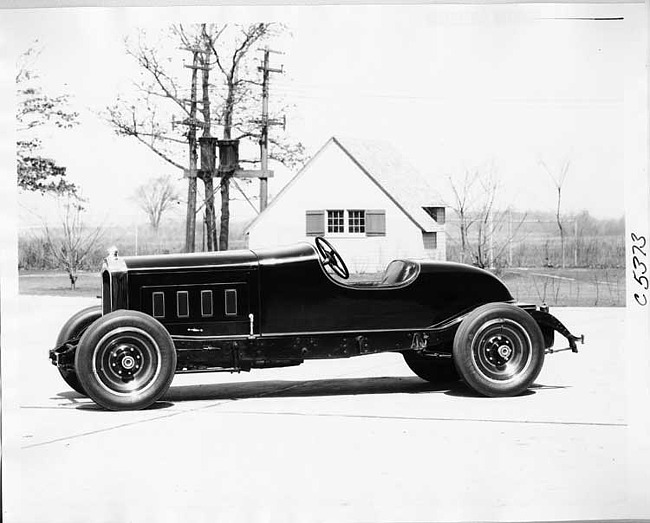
75,243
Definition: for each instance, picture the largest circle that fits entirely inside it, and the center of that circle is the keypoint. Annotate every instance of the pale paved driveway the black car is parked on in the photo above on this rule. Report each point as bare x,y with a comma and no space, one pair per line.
341,440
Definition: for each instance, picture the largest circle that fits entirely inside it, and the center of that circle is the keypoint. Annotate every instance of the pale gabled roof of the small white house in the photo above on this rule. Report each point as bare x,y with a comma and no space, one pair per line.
390,171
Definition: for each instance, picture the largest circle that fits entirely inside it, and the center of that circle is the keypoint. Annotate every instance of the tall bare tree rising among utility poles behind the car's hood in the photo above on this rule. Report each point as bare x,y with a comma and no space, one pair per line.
229,104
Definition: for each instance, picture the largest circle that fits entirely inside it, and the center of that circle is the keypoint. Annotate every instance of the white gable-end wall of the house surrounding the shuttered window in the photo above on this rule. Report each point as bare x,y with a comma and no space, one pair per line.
333,181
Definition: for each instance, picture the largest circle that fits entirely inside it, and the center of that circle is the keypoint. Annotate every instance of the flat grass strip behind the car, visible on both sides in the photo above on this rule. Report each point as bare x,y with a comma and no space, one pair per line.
556,287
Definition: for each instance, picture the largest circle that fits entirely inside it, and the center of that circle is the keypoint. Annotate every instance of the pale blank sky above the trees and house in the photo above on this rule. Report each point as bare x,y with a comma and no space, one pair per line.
500,87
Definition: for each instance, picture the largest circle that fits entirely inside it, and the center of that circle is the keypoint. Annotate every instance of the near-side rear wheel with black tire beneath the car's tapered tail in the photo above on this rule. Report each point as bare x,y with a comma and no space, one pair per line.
499,350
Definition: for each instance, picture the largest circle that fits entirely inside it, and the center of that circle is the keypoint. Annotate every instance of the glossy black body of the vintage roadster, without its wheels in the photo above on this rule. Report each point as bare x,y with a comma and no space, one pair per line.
239,310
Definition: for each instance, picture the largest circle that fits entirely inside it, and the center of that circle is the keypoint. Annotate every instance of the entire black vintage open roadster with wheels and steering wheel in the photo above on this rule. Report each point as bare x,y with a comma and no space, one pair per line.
239,310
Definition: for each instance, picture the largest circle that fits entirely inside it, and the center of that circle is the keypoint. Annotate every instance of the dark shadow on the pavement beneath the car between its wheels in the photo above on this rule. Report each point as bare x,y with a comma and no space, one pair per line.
308,388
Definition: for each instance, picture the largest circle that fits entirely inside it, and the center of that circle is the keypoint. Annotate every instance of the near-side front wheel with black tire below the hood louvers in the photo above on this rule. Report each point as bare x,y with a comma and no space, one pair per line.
125,360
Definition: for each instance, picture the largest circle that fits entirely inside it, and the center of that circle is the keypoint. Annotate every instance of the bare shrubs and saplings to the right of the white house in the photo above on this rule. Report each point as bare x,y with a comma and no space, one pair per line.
484,231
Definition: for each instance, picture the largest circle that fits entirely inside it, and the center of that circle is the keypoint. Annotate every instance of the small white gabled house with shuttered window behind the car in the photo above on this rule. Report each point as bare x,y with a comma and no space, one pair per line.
365,199
